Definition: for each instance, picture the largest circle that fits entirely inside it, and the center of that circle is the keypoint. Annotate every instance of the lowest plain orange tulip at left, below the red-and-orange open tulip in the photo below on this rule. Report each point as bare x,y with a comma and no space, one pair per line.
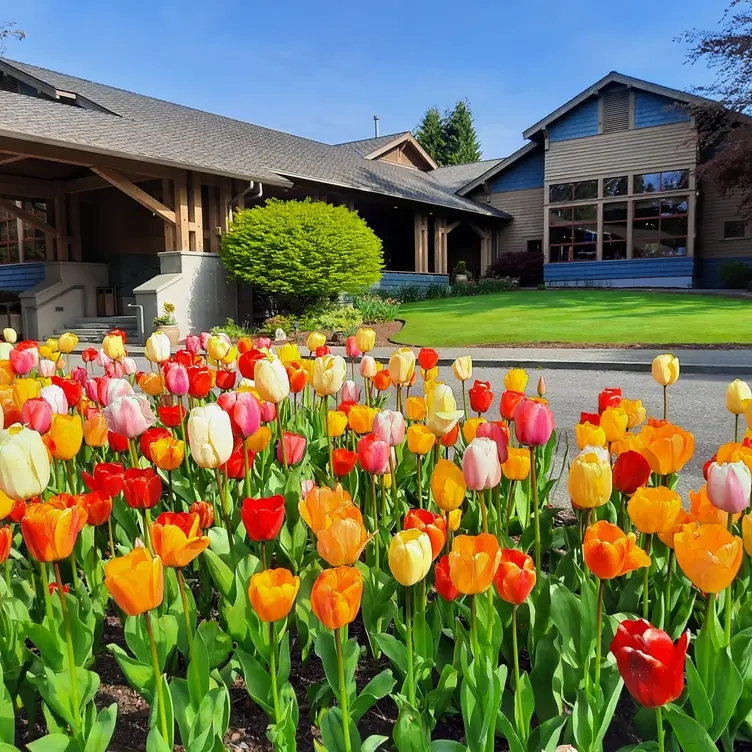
136,581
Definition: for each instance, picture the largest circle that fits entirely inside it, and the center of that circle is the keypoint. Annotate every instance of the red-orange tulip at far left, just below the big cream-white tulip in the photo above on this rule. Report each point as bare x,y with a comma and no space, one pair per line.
50,529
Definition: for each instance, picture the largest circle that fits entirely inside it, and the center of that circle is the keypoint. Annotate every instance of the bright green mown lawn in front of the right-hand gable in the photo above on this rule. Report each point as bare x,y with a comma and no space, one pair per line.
585,316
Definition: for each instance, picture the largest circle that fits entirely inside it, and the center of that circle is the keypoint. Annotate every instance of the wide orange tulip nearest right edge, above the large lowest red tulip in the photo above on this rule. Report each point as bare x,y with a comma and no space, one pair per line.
709,555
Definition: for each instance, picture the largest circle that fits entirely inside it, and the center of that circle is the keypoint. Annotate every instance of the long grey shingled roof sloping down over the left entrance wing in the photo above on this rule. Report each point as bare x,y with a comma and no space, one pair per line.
138,127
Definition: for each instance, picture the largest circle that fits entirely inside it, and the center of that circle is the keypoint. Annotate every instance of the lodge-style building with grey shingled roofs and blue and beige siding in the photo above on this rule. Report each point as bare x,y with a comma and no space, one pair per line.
113,203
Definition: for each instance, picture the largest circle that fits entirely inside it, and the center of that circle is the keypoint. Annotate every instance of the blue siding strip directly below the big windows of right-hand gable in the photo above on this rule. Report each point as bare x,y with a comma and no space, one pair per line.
623,269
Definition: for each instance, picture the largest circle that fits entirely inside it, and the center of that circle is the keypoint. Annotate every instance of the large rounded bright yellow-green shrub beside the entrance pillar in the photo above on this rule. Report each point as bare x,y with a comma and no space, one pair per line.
302,252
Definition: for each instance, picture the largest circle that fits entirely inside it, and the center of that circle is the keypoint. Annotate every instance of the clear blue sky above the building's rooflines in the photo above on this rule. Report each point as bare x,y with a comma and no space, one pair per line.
322,70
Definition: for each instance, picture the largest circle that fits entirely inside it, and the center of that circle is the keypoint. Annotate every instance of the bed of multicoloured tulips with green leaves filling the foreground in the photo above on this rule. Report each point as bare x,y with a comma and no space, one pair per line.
245,530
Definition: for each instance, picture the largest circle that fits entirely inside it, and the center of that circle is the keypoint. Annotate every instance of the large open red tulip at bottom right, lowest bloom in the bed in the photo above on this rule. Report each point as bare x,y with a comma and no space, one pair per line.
650,664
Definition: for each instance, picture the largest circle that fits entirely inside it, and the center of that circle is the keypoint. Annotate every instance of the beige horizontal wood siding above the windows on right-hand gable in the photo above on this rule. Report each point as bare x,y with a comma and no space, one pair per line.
642,150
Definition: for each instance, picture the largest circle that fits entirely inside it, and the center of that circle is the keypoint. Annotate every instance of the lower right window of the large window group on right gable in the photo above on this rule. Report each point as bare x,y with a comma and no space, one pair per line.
660,227
